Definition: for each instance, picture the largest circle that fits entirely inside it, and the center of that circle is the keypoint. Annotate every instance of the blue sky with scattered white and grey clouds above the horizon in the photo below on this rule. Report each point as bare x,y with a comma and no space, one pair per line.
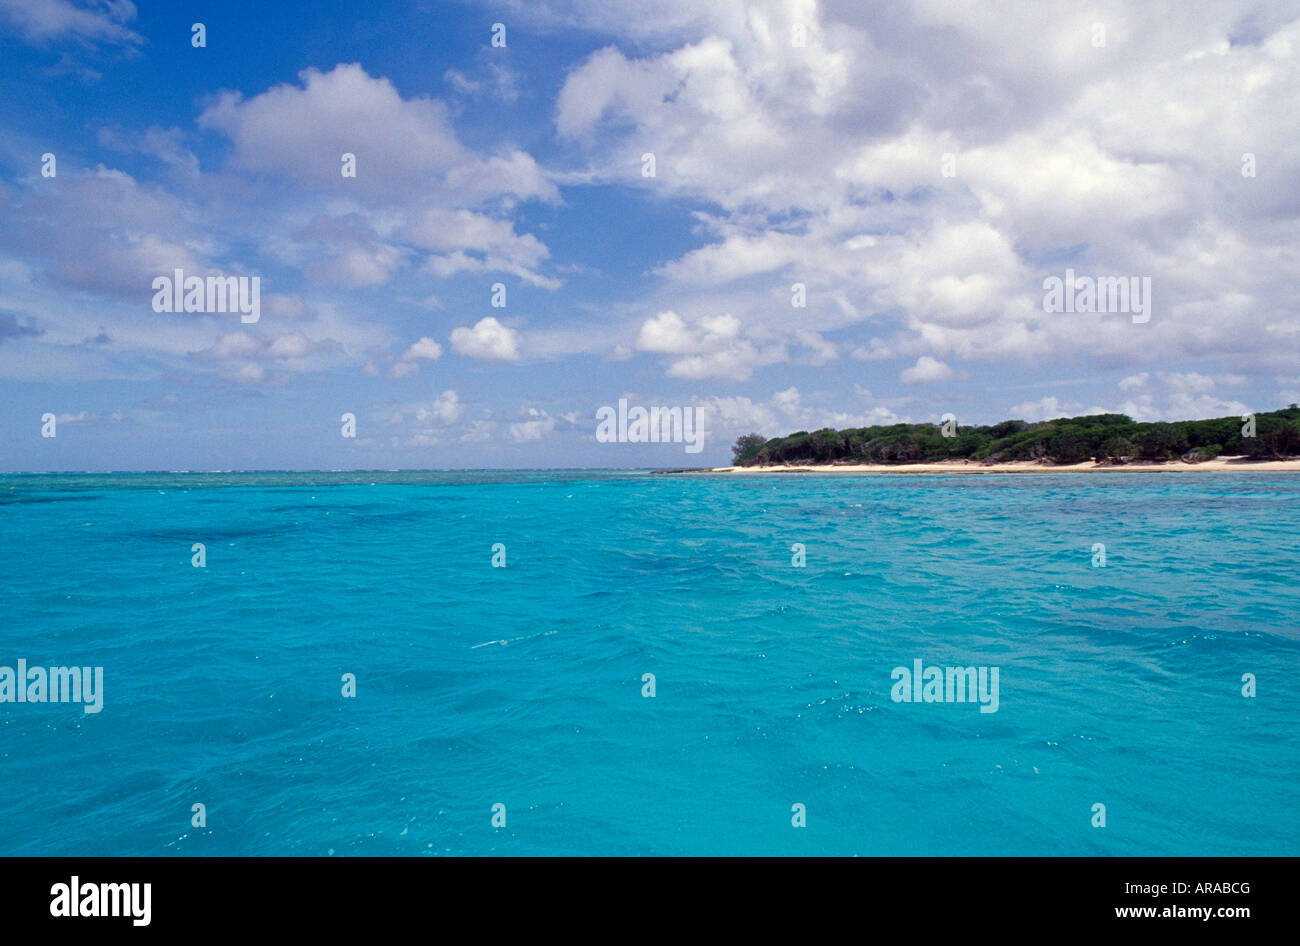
1116,154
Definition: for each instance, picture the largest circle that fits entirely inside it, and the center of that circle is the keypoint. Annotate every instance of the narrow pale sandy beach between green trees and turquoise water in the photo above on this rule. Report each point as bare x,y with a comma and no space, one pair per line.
968,467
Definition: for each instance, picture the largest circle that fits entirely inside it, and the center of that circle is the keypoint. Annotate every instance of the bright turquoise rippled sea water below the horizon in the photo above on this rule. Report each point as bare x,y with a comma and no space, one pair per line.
522,687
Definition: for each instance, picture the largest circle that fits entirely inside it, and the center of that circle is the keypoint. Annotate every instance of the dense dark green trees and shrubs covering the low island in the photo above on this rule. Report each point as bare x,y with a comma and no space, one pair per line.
1108,439
